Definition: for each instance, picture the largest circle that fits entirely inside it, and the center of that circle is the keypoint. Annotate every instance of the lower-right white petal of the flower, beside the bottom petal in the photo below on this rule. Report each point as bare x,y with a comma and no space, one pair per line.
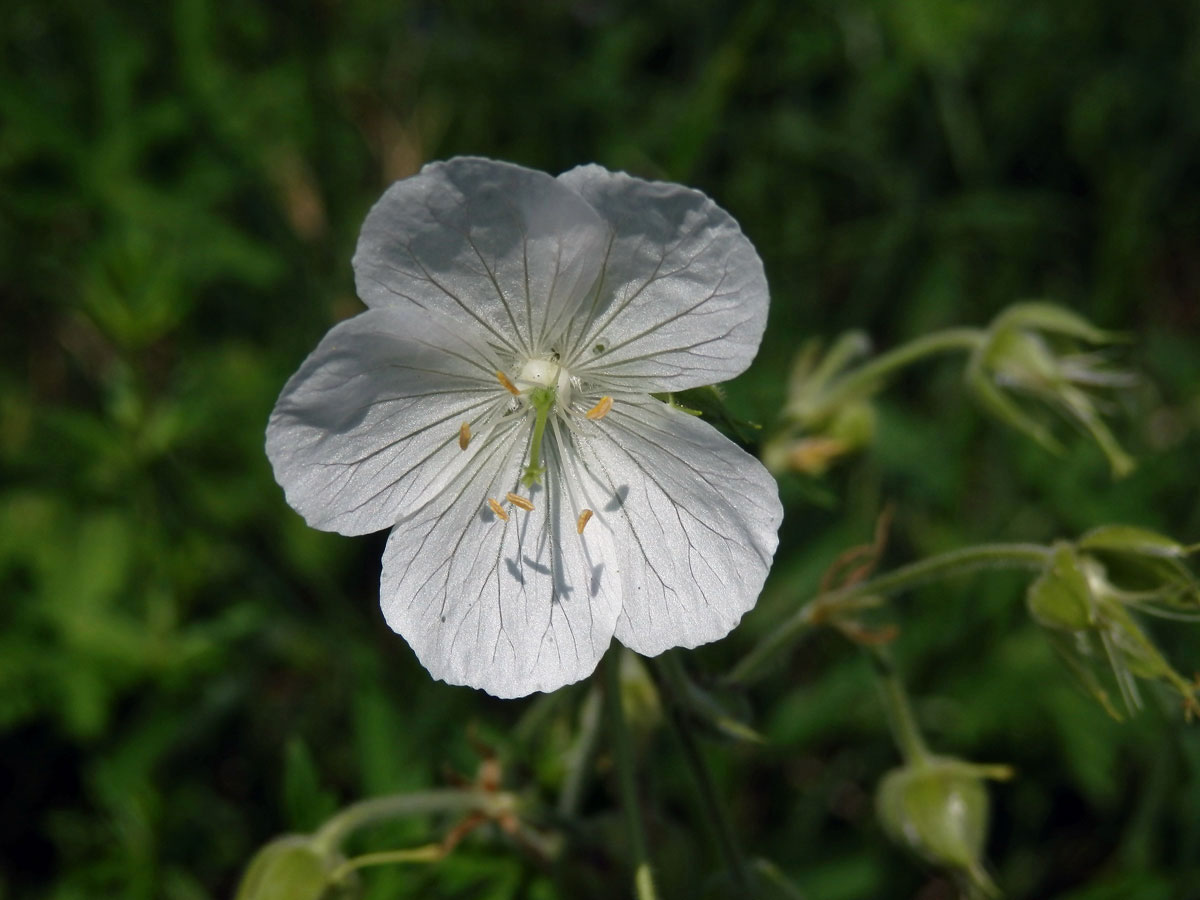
701,520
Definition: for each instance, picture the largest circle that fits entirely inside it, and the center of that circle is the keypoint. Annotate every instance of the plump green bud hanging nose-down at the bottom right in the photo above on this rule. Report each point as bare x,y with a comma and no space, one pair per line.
938,807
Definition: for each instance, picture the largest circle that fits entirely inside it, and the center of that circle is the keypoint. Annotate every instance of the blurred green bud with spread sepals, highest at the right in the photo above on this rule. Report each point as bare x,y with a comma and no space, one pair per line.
1034,350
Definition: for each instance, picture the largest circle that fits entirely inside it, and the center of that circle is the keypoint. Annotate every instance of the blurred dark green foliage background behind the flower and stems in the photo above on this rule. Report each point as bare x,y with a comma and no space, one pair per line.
187,670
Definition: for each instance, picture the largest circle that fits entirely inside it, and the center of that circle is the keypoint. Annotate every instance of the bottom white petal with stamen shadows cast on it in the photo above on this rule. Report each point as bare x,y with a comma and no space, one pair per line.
511,607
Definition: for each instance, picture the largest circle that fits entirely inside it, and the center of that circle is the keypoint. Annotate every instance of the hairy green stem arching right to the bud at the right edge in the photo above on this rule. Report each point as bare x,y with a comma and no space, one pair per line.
986,556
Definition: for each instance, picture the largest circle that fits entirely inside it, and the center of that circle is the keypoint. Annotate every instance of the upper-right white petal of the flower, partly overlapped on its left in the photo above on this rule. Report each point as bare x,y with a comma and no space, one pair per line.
683,302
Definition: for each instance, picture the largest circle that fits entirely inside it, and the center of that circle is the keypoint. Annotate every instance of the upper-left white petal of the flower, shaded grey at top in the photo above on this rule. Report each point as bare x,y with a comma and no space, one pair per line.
507,248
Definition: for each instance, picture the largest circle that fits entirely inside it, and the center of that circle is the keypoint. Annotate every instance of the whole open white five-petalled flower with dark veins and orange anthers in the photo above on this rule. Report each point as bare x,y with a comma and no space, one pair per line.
493,410
